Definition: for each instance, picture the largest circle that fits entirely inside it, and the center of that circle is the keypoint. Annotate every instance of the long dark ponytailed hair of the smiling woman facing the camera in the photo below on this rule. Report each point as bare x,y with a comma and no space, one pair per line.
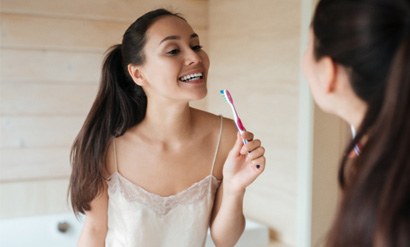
120,104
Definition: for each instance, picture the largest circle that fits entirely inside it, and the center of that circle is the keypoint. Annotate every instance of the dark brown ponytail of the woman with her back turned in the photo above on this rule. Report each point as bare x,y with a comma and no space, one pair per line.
375,208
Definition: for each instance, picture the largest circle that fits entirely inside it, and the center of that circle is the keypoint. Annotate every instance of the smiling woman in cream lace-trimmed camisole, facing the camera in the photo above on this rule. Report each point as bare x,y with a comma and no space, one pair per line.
146,166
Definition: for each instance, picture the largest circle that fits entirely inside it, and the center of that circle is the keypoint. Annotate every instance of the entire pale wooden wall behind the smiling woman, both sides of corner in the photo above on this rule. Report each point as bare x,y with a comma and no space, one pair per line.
50,57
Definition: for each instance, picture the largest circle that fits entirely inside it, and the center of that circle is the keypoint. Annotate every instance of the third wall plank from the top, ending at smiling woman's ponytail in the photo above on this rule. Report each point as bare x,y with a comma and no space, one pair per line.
46,65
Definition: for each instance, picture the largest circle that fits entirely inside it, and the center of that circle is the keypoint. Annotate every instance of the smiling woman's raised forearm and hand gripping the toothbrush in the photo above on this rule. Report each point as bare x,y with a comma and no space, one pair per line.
244,163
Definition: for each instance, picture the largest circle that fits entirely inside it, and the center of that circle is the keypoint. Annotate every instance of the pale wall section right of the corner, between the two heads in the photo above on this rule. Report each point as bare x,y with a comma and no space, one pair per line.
255,50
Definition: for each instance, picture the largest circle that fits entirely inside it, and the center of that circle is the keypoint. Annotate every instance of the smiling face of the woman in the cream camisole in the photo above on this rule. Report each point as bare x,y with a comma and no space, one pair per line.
175,65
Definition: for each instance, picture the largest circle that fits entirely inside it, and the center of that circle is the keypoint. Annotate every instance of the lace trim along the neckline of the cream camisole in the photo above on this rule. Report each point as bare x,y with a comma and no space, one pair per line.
161,204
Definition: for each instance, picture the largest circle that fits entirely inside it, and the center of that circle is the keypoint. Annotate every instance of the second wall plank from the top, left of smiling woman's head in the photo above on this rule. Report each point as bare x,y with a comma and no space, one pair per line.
51,33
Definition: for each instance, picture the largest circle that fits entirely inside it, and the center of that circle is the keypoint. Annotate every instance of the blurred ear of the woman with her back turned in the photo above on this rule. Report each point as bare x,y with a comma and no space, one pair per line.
327,75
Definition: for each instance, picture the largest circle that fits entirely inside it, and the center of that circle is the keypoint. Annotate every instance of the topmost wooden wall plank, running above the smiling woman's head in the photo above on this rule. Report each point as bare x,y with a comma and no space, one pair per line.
115,10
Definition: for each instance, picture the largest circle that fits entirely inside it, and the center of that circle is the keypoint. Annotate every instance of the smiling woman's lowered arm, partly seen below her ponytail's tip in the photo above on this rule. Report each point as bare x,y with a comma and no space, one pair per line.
95,225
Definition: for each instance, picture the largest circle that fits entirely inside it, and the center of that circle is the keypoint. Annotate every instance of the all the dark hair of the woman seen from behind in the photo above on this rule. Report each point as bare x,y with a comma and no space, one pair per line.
371,39
